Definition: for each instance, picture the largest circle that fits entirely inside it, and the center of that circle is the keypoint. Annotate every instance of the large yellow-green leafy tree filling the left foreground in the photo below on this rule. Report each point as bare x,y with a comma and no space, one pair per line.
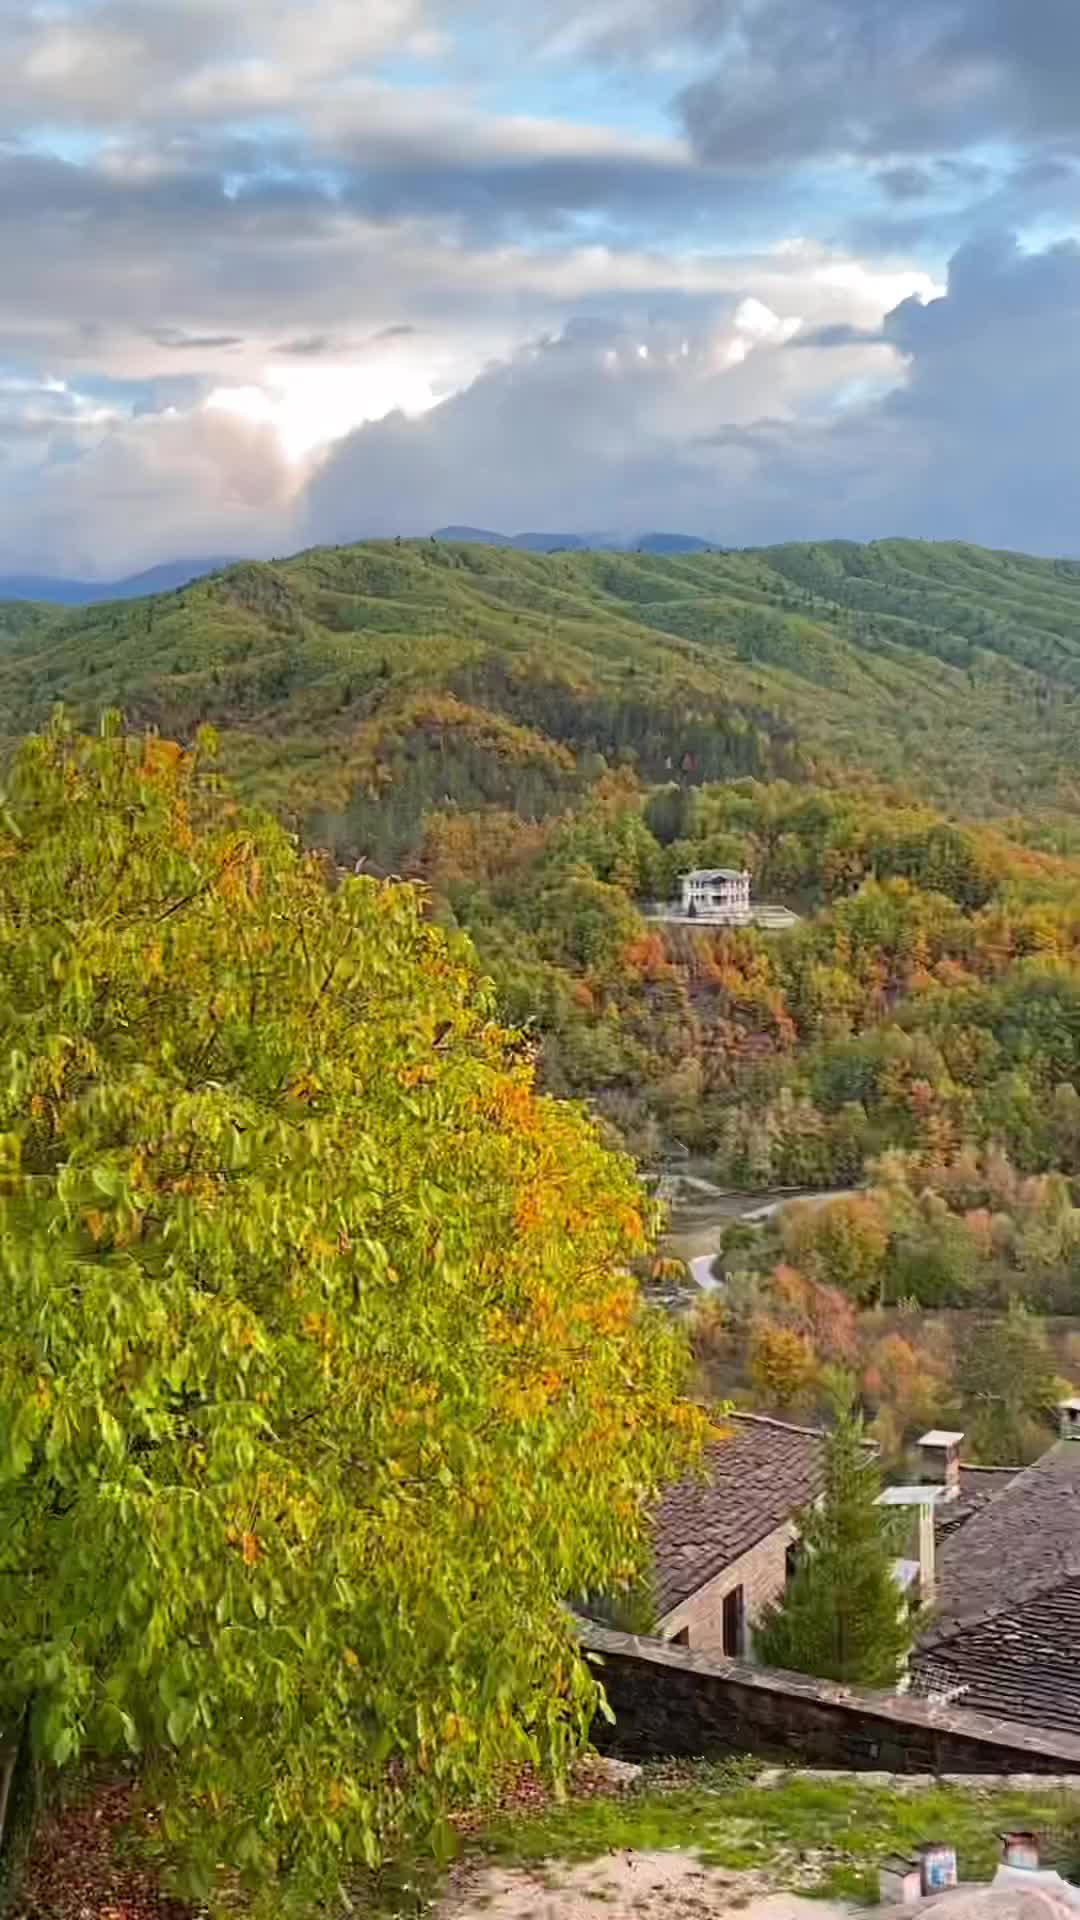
322,1383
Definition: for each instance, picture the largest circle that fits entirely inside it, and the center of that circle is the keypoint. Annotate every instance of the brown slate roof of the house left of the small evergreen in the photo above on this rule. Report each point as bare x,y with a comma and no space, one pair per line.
758,1479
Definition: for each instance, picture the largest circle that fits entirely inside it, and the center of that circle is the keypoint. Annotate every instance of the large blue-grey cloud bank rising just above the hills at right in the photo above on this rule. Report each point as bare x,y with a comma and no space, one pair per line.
975,435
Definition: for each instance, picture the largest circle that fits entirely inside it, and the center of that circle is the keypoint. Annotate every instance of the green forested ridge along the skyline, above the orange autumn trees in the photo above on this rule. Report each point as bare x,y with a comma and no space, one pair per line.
945,669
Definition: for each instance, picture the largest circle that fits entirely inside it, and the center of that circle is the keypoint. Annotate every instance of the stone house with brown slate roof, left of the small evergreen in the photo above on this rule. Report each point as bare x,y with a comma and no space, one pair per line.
724,1545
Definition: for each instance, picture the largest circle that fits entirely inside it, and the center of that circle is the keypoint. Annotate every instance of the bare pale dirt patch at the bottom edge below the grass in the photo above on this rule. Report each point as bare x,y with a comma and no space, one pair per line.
649,1886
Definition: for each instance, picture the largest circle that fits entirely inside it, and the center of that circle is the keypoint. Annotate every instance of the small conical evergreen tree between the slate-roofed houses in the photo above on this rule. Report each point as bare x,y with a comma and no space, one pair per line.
843,1616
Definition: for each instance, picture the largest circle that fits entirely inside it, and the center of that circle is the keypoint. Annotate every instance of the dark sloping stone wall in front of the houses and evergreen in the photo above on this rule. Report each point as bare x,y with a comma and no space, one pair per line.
675,1702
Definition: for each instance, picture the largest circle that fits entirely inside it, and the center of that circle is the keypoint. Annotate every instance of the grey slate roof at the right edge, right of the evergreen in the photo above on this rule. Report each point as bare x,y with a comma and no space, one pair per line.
1008,1616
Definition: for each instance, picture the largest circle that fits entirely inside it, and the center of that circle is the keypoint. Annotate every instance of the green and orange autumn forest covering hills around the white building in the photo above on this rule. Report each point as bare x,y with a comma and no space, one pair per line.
885,736
